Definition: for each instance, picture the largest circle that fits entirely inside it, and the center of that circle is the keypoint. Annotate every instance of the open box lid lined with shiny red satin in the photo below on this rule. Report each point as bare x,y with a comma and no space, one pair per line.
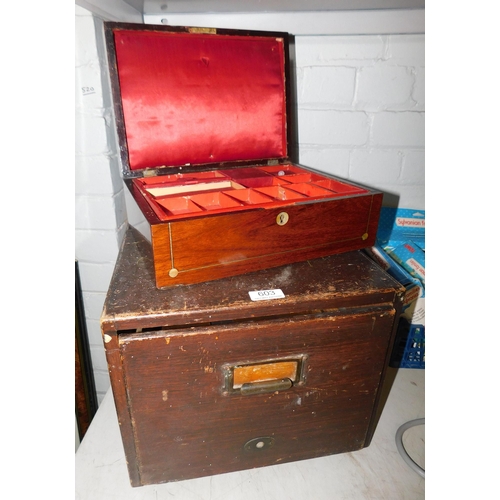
197,96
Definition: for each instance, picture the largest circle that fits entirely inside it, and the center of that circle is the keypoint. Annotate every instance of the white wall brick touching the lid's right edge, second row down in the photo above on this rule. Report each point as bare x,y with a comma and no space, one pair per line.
327,85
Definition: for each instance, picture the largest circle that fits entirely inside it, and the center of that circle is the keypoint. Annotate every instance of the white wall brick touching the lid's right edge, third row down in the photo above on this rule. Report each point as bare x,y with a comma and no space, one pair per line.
334,128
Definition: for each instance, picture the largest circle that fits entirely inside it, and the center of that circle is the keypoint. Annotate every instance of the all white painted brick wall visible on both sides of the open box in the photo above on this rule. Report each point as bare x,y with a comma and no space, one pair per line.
360,106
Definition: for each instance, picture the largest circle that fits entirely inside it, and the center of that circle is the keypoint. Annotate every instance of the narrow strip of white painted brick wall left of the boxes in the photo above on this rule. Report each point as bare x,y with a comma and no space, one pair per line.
100,213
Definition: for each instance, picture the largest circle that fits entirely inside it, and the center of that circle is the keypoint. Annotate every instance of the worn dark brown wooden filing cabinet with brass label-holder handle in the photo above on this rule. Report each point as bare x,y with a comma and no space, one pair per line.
207,380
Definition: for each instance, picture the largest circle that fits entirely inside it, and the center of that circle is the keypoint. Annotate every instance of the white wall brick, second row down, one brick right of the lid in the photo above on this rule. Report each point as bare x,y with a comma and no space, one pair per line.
384,87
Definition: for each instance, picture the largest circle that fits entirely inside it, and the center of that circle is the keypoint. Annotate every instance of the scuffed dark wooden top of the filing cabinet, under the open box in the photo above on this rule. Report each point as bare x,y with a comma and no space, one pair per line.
344,280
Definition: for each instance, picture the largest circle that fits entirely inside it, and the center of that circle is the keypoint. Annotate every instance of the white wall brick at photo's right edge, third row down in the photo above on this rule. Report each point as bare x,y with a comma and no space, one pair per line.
403,129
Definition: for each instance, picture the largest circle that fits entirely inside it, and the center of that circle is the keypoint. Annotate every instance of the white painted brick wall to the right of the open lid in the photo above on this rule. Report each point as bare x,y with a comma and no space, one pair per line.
361,105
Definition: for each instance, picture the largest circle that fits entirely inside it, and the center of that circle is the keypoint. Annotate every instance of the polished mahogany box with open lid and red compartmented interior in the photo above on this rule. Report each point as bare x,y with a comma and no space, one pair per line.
204,127
